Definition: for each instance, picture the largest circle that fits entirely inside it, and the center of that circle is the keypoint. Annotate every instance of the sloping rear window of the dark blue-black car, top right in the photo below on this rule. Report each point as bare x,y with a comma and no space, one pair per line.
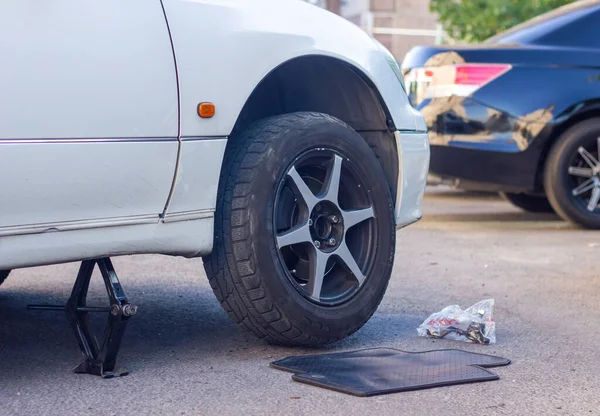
577,24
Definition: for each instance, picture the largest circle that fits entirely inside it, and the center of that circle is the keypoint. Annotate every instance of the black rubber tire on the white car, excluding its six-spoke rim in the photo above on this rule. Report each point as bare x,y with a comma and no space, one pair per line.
245,268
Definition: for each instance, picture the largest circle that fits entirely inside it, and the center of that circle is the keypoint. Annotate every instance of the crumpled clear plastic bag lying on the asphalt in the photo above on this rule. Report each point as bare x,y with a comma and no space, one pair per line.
475,324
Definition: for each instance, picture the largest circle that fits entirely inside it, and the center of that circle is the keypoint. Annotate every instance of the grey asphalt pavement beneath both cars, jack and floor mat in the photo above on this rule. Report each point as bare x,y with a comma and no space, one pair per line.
187,358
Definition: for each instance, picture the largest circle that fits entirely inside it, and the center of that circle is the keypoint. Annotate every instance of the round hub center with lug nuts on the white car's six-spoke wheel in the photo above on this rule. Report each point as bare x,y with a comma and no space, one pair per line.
326,226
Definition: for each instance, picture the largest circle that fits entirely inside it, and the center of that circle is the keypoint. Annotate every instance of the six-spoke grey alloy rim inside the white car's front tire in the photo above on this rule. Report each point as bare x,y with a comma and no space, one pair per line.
324,227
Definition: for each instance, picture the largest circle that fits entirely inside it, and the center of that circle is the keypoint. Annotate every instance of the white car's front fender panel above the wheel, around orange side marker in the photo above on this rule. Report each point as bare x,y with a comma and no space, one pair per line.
224,48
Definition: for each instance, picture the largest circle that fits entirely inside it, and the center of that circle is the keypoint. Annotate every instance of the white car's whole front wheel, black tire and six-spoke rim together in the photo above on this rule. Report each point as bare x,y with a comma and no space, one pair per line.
304,230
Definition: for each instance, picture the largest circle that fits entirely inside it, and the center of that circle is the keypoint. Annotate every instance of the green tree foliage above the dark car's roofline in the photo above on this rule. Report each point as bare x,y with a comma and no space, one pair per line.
476,20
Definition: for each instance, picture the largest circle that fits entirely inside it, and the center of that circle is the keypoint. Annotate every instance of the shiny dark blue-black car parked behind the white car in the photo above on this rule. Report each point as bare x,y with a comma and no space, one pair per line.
519,113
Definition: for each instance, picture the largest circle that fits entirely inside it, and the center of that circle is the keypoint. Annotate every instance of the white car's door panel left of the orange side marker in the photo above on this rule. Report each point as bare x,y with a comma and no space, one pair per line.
88,114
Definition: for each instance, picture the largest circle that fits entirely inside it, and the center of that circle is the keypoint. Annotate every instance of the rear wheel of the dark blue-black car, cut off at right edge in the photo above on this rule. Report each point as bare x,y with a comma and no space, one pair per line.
572,174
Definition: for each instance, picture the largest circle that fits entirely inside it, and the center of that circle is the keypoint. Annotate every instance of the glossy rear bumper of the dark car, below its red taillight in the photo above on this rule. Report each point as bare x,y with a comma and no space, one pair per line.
480,147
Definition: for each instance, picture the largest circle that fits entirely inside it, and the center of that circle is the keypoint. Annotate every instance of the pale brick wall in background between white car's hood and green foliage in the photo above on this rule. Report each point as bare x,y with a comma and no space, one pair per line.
405,14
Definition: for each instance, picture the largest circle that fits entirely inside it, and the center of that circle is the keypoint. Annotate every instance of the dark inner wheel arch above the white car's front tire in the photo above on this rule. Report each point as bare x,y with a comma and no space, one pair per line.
318,83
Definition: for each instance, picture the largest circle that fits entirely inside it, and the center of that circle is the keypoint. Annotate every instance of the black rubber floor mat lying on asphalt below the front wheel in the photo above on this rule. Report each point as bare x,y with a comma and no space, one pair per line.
382,370
